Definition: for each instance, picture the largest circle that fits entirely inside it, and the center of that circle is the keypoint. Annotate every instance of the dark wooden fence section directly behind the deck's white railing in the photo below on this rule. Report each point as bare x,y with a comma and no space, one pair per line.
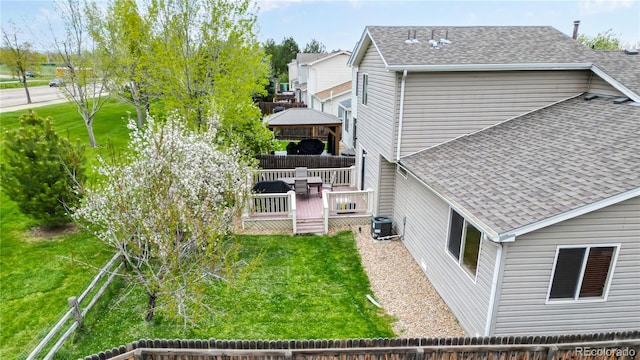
309,161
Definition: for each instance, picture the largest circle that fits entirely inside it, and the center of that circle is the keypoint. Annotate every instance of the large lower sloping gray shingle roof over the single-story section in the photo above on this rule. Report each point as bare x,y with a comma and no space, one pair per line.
538,165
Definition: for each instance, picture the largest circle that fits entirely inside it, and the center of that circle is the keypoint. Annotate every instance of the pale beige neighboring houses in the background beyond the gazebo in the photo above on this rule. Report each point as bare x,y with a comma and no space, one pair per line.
321,80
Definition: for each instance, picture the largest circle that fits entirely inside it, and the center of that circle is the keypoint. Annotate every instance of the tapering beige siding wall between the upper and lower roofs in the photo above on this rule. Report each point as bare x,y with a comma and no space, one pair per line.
439,107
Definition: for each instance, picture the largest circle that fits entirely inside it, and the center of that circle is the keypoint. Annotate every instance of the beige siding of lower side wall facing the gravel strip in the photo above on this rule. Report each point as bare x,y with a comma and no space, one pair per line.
425,236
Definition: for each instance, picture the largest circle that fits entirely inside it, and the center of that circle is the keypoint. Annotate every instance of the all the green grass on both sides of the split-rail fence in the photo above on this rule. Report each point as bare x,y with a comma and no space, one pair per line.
305,287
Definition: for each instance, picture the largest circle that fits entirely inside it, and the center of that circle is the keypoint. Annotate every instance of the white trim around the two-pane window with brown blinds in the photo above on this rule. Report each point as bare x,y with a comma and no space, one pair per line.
576,298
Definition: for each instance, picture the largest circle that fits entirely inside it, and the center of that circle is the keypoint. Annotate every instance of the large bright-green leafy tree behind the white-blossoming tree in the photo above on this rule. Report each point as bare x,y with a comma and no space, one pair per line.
209,62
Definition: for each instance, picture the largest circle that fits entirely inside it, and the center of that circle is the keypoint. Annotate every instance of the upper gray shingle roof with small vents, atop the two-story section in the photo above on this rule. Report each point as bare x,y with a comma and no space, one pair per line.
478,45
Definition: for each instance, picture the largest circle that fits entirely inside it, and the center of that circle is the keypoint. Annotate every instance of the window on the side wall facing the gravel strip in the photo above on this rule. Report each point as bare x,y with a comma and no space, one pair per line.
464,243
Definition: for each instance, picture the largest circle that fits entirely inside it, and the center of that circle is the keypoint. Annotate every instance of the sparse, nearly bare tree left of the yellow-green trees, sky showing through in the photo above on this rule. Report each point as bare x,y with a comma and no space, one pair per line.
85,68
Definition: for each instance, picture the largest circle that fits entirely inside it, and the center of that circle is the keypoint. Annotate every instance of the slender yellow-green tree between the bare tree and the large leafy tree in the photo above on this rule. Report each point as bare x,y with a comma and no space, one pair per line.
123,35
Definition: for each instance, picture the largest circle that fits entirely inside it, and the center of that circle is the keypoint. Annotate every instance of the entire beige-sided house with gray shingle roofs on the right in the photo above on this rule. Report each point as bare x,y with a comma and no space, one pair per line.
509,169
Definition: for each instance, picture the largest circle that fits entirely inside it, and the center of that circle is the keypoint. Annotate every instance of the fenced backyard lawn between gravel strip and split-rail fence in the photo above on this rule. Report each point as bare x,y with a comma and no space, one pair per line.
304,287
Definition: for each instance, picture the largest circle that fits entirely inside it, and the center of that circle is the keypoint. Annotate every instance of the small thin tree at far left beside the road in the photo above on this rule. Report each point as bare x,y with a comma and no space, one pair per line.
18,55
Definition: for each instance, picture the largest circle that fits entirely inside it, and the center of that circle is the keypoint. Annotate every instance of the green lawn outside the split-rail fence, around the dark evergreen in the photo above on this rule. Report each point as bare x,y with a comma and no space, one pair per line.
38,275
